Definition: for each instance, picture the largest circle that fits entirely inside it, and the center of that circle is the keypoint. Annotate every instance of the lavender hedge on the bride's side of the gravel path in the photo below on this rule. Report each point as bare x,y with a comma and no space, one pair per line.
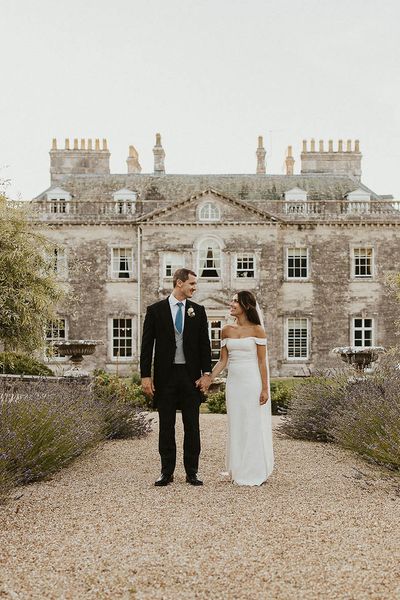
359,413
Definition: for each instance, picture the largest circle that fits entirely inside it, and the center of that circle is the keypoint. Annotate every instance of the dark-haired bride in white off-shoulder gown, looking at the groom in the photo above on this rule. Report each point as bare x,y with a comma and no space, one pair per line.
250,457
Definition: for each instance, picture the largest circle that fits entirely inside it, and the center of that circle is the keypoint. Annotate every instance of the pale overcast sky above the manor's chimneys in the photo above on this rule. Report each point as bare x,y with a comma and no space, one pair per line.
209,75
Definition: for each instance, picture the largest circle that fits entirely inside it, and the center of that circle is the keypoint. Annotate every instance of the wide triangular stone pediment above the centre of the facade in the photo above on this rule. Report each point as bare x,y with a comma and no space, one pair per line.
231,210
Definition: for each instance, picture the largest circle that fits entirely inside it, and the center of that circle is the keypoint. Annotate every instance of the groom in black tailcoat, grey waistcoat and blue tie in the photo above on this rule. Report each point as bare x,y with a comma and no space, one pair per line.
182,367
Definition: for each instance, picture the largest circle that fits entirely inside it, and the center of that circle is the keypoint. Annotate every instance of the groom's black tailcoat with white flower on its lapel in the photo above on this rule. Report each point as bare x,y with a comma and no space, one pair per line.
158,329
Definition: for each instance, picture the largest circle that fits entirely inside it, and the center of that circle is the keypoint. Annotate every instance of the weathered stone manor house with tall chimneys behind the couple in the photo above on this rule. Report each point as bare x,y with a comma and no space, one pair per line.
315,246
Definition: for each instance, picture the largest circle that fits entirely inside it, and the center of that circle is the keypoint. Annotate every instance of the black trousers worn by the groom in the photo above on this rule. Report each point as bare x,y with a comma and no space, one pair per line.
179,393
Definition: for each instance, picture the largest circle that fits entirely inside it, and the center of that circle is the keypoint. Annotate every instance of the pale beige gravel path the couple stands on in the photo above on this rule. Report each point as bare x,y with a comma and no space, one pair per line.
326,525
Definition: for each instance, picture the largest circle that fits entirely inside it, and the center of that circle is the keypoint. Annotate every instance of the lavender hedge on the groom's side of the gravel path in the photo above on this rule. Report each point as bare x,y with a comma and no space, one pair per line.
45,424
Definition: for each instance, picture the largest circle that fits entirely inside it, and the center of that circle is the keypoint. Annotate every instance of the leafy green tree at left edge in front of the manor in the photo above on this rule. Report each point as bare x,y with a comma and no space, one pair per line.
29,291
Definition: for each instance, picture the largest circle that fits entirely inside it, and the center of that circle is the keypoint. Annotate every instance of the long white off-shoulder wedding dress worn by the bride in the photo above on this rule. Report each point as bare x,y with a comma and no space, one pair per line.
250,456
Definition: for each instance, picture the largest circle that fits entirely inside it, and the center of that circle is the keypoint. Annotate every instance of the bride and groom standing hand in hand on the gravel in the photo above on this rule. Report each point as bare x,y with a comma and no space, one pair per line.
176,330
